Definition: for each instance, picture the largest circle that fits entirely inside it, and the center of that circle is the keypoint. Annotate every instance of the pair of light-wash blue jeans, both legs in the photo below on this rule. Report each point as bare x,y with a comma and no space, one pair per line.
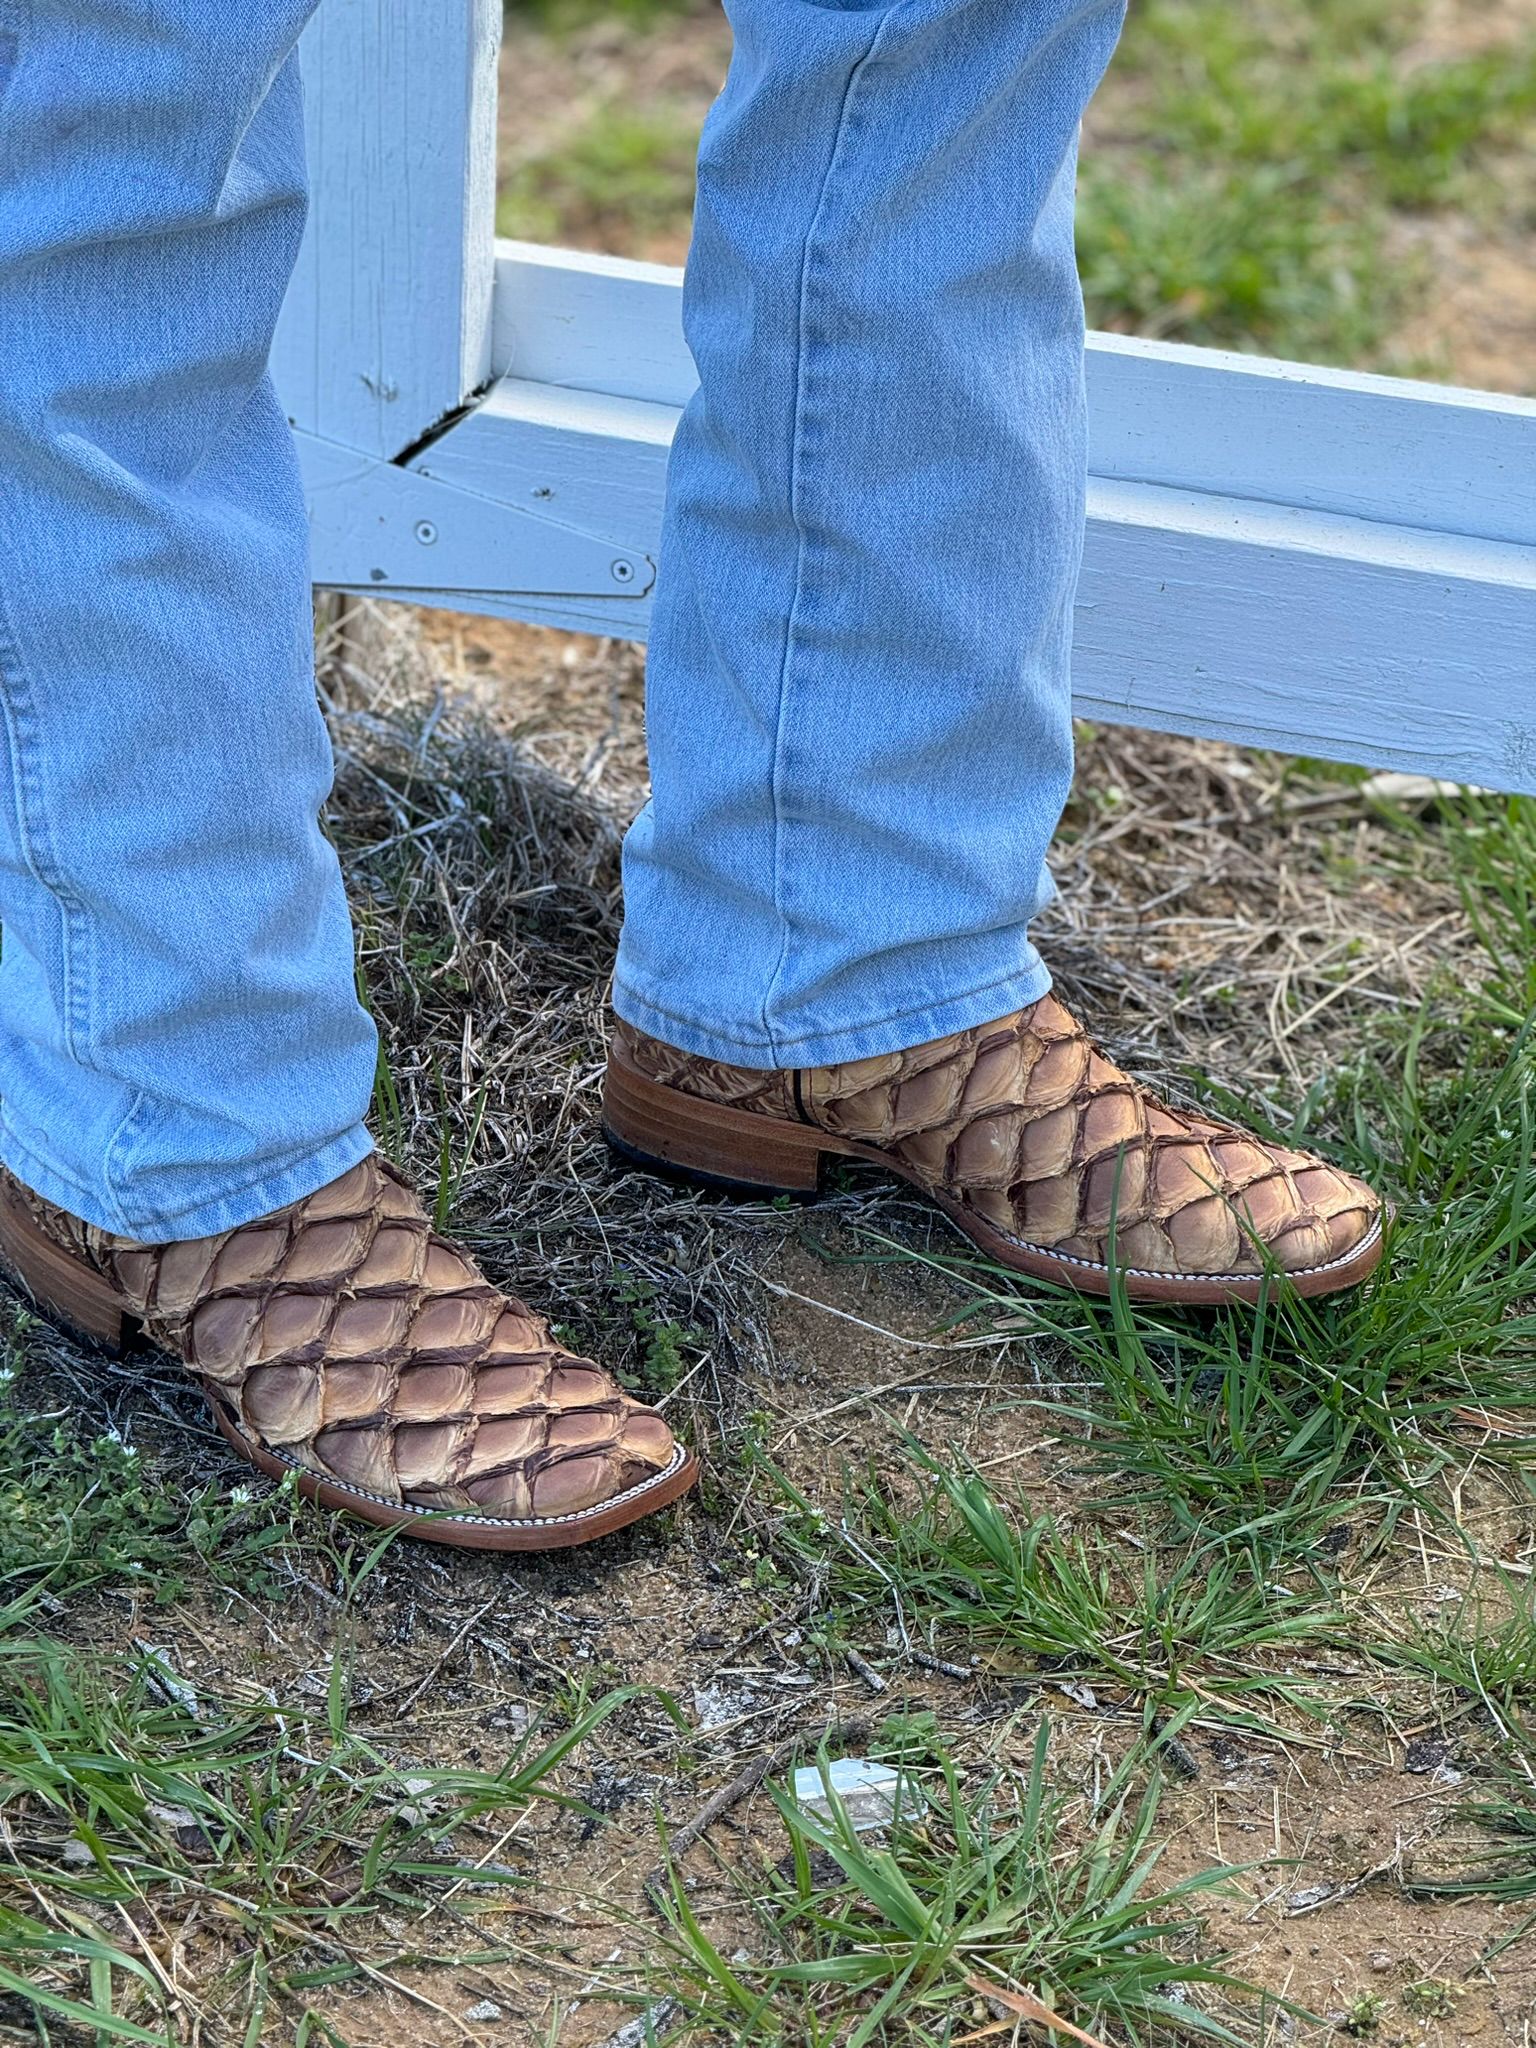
859,695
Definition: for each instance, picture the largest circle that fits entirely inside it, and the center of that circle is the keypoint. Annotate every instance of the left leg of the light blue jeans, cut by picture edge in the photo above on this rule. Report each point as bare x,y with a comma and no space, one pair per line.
181,1043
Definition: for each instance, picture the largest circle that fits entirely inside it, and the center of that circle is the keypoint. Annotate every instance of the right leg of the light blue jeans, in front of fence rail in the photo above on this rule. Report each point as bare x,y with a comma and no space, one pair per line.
859,697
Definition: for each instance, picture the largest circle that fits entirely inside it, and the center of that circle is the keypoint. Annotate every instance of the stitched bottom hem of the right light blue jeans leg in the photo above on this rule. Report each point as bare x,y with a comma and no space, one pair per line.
892,1033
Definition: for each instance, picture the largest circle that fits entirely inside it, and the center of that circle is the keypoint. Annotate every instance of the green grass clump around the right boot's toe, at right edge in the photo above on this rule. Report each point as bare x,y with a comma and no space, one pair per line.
1271,1422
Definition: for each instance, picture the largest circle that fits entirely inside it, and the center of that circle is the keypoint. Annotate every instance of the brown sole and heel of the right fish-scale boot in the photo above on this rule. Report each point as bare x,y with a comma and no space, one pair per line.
740,1152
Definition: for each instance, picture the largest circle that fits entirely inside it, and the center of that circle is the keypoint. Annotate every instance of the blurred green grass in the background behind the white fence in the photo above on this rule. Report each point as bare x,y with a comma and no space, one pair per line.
1254,177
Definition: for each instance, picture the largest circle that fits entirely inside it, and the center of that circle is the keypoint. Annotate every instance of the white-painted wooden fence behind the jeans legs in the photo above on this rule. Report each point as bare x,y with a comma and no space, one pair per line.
1283,556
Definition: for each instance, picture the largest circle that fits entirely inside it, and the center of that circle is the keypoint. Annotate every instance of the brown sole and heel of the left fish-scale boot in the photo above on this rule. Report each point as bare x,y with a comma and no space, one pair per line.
81,1304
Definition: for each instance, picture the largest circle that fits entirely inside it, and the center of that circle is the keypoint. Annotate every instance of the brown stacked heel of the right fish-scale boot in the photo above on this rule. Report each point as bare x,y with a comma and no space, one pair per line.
708,1142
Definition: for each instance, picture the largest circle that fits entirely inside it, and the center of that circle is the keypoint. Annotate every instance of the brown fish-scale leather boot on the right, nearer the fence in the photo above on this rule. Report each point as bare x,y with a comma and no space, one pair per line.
1039,1148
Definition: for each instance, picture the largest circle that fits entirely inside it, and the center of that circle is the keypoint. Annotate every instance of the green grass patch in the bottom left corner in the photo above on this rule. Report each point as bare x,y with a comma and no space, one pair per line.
134,1801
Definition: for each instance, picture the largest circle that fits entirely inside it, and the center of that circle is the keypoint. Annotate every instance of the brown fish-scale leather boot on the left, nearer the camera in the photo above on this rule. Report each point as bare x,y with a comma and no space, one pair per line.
345,1340
